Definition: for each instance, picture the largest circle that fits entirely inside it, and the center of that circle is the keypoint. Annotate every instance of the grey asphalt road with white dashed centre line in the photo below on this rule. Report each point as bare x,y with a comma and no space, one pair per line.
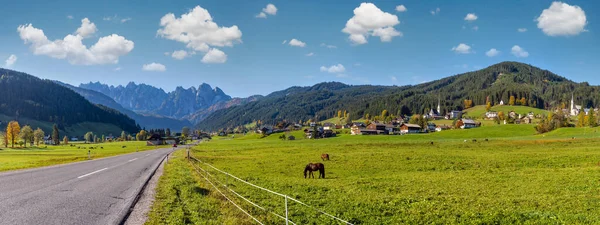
91,192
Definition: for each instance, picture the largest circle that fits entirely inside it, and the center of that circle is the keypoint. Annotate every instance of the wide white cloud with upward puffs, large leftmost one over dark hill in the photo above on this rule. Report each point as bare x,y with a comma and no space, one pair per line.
107,50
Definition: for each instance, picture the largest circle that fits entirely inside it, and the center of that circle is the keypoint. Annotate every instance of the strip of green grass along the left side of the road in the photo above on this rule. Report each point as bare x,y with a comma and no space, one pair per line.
47,155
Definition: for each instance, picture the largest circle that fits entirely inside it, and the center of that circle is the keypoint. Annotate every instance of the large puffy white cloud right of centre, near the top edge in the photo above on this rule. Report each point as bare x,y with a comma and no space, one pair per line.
368,20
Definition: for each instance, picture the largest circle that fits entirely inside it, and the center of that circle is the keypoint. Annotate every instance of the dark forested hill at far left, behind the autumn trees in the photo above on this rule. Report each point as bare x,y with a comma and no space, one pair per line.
23,95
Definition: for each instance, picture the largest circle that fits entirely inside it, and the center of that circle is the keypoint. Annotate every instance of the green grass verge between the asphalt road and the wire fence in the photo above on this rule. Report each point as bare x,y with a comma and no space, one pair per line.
183,197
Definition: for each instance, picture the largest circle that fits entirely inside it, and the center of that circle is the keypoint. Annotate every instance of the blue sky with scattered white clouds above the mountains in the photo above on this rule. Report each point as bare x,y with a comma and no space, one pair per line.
257,61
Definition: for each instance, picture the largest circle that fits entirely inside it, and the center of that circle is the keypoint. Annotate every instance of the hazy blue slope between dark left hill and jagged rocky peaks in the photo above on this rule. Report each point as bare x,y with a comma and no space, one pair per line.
145,121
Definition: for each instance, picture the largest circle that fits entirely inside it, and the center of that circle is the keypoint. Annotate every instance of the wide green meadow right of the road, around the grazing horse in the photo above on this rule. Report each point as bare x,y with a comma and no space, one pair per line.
517,177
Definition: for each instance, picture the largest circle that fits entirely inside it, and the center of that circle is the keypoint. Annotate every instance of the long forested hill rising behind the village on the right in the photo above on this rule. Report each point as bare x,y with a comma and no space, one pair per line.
540,88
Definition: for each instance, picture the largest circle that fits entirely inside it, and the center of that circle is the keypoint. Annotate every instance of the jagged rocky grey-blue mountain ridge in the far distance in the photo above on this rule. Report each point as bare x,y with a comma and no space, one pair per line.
147,99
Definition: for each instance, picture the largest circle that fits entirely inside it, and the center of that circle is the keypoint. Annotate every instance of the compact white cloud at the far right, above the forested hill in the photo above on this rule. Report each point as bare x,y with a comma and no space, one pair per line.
562,19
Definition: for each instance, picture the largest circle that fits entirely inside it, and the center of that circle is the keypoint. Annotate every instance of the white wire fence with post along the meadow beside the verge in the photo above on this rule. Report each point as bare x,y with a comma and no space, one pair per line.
208,176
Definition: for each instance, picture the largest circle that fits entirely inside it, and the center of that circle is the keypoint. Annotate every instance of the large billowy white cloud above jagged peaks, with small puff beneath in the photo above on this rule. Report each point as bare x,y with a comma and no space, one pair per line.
199,32
